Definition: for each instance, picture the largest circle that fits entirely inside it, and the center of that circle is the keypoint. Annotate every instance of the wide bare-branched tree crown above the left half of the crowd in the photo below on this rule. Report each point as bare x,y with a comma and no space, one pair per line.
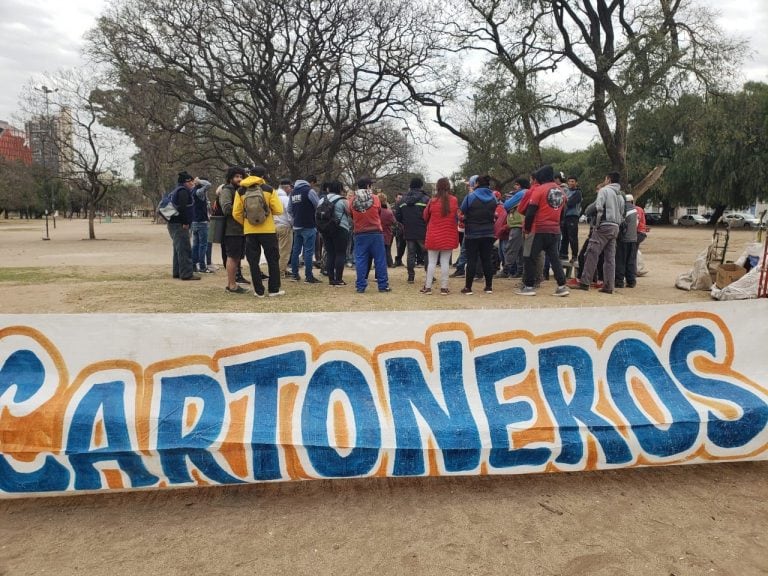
285,83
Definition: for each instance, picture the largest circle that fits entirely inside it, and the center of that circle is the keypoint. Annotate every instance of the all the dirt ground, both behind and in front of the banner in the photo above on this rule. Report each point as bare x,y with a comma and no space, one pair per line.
679,521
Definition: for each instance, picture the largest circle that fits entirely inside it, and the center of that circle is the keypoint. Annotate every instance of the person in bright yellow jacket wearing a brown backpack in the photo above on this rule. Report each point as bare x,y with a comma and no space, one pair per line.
262,235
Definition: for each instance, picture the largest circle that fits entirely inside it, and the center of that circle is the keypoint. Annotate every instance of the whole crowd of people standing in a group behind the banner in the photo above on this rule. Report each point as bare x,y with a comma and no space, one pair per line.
526,234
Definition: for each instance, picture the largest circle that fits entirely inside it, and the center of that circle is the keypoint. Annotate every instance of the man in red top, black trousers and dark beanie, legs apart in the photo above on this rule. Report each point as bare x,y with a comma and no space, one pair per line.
542,220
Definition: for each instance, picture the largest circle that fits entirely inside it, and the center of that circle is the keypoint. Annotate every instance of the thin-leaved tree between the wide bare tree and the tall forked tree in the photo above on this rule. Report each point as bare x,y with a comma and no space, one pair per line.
516,103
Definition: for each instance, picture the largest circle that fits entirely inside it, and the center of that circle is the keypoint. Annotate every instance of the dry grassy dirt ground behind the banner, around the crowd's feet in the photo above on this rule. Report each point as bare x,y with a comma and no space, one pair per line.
131,273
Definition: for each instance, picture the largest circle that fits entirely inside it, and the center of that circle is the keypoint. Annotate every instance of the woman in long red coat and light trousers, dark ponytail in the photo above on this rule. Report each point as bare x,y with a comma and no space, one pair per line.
442,238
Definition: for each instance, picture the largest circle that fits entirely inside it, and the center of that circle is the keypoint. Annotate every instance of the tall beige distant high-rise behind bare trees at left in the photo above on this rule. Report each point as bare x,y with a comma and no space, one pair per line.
50,140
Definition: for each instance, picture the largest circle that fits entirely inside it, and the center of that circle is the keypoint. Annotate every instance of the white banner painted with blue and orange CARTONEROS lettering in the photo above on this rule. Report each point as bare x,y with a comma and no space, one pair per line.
103,402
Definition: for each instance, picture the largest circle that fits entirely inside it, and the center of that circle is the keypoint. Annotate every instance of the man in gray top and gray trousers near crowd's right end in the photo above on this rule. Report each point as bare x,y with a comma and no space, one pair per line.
608,210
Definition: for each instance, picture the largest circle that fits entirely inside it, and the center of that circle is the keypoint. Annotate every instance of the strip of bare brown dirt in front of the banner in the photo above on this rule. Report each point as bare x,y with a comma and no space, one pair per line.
680,520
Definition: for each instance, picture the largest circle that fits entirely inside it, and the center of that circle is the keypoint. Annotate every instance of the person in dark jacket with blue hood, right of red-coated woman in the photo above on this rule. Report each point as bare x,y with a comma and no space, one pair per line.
479,210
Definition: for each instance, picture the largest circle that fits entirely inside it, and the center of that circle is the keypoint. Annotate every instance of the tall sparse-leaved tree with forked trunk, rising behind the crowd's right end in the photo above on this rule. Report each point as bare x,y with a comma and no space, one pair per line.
628,52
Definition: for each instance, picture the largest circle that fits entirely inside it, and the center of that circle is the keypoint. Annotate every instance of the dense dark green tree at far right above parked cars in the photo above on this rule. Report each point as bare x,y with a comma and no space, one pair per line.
715,148
